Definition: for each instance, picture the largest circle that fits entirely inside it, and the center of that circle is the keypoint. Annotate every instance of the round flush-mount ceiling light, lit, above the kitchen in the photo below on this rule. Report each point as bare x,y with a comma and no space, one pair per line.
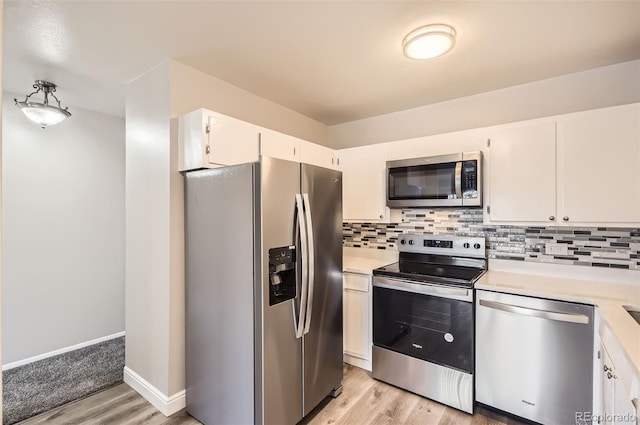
429,41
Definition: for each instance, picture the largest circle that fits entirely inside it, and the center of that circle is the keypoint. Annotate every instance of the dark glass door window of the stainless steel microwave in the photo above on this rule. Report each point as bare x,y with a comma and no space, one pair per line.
433,181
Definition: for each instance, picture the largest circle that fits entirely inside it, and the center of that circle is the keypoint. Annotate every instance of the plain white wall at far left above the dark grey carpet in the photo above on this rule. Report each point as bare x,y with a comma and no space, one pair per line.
62,231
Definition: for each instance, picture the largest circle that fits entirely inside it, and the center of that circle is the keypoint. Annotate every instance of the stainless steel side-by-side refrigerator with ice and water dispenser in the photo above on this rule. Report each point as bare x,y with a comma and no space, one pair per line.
263,291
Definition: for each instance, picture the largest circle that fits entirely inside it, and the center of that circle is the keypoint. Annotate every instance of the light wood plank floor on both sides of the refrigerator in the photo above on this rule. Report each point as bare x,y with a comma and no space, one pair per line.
364,401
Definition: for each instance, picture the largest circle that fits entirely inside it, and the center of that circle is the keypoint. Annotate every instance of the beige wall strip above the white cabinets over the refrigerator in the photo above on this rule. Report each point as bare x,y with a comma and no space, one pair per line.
192,89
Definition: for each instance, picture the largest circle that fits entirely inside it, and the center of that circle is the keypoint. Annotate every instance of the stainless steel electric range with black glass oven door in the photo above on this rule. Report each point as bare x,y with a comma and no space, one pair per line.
423,330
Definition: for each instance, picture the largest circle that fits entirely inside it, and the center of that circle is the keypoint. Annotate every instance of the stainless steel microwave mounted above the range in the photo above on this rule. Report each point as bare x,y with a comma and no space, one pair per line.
435,181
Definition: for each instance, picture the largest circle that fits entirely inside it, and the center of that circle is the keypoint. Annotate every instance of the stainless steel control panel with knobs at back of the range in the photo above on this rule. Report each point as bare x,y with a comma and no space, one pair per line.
466,246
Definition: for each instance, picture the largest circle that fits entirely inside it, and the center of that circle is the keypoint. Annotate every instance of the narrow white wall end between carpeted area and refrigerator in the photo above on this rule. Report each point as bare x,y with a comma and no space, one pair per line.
148,215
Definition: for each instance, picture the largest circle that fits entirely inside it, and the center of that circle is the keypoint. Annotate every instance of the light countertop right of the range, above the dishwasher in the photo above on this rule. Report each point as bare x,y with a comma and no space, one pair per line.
608,297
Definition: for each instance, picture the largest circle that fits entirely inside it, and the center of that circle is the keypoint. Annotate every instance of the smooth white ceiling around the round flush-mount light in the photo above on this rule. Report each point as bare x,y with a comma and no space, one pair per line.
334,61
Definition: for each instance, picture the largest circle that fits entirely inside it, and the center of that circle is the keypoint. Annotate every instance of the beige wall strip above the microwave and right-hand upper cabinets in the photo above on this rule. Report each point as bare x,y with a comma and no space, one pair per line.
597,88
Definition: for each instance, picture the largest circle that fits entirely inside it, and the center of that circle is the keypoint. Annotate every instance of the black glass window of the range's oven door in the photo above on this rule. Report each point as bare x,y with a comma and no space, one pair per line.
435,329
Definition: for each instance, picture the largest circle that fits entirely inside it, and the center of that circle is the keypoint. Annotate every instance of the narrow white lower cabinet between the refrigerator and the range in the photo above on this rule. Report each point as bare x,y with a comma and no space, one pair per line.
358,334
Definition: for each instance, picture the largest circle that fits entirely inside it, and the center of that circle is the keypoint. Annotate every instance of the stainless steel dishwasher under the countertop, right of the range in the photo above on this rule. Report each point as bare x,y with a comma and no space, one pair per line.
534,357
